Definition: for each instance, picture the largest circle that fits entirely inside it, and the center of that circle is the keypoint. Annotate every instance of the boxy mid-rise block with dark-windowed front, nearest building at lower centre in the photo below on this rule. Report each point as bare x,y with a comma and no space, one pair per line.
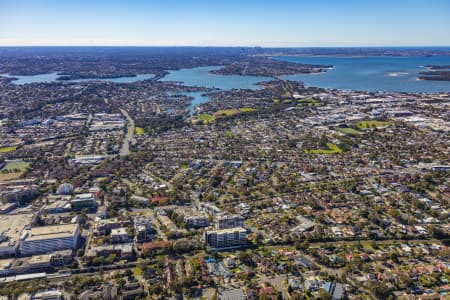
226,238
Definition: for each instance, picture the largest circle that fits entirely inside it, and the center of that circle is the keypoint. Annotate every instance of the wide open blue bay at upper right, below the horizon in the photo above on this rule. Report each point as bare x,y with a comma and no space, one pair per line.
391,74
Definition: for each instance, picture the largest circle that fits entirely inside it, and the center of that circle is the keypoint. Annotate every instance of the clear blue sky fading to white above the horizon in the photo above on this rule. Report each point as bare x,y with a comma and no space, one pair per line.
274,23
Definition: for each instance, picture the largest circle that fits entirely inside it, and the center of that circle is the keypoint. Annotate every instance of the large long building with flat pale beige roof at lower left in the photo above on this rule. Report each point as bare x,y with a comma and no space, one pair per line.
48,239
